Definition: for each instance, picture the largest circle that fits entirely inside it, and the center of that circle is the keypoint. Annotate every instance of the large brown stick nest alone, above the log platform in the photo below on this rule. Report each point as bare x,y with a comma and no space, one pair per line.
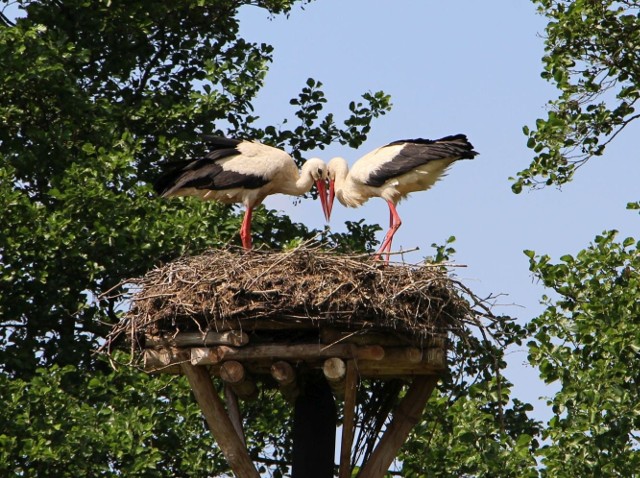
228,289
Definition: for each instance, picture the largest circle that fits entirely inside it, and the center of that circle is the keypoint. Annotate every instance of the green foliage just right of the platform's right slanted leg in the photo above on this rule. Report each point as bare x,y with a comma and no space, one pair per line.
472,426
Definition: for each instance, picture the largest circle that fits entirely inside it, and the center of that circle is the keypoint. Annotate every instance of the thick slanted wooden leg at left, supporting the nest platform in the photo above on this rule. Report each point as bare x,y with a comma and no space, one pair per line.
219,423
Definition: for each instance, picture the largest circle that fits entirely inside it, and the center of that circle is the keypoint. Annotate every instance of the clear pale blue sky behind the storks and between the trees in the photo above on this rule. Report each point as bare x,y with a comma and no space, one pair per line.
451,67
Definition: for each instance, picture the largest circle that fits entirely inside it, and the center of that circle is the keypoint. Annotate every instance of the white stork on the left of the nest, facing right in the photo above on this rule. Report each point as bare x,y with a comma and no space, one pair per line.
238,171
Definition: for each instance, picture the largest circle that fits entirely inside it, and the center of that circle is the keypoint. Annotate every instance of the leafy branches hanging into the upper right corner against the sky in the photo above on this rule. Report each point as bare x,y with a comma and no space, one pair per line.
591,56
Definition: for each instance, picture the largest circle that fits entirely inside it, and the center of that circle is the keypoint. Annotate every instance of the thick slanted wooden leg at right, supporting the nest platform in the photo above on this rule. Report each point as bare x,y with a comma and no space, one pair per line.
405,417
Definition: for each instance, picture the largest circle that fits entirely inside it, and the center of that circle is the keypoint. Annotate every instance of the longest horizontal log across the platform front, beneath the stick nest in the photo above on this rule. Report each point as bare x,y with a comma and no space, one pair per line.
214,355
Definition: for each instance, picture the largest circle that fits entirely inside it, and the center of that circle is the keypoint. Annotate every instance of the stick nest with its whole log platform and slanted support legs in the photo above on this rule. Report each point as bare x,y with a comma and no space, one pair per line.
298,321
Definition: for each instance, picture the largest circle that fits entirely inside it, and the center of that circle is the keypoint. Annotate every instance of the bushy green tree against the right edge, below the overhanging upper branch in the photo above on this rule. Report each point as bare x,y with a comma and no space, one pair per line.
588,341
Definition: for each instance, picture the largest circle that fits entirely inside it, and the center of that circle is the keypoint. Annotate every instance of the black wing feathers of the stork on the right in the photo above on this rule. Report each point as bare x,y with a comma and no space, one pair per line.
417,152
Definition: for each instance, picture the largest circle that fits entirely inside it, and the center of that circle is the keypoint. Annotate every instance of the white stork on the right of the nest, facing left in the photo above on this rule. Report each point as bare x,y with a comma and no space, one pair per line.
392,172
